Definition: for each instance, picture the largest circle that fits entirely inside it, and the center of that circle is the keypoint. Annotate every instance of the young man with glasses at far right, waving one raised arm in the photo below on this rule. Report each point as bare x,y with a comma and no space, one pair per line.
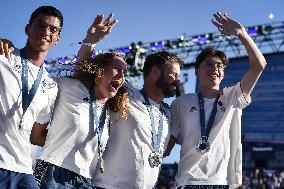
207,124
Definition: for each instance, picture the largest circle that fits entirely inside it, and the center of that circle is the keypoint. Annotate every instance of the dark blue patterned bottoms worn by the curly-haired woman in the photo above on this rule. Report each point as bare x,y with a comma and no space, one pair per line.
50,176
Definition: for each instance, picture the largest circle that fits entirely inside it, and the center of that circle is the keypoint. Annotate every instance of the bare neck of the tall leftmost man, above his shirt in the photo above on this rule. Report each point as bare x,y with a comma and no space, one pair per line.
35,57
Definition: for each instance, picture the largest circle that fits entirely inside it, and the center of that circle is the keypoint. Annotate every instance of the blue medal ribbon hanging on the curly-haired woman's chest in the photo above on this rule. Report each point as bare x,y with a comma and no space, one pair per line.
99,122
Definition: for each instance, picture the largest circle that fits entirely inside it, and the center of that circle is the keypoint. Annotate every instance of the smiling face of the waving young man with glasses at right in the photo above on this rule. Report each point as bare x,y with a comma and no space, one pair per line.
211,72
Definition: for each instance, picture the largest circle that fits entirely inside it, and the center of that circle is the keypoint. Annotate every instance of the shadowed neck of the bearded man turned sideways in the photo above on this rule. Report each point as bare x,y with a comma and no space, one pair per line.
153,92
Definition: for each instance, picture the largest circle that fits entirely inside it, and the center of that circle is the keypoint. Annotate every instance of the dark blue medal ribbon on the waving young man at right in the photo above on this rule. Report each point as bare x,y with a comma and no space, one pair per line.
205,130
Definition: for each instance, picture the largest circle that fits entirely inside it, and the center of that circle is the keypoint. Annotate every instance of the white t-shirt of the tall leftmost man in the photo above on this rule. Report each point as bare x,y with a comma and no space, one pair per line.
15,148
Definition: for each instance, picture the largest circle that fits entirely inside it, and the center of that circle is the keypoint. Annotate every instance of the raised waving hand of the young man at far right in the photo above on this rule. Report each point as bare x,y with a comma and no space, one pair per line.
226,25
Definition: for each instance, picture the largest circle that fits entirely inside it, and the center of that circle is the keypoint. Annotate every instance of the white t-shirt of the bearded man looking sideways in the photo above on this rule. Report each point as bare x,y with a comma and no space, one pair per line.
129,146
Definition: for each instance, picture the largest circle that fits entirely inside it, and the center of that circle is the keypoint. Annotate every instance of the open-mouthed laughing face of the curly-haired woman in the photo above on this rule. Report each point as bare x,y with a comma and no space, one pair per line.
112,79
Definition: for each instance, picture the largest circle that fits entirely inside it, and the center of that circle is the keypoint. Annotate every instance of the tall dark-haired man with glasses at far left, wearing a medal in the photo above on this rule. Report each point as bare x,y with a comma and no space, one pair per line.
27,96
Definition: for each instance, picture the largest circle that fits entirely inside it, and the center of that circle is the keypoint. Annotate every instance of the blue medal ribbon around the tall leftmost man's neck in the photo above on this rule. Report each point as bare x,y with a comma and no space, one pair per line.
27,96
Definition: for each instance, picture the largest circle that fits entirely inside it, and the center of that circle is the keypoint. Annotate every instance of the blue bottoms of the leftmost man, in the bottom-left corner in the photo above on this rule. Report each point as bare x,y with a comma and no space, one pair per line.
14,180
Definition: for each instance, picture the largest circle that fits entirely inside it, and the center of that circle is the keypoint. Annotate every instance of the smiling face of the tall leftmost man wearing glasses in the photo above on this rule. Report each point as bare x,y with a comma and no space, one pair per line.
43,32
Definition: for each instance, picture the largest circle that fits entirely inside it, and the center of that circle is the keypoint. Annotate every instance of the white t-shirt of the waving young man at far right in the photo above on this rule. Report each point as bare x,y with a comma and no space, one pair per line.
222,164
